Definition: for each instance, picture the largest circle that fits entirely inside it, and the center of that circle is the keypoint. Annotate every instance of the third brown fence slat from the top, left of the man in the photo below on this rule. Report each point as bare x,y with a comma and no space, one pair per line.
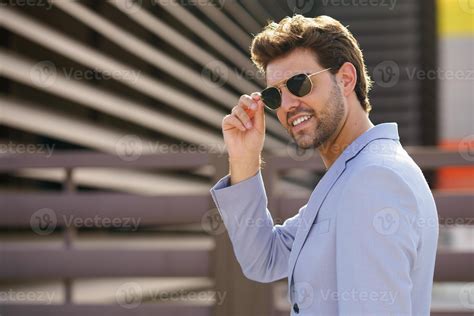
27,263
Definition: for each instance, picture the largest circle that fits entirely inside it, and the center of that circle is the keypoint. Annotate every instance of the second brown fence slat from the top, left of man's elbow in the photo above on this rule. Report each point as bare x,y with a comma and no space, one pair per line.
17,209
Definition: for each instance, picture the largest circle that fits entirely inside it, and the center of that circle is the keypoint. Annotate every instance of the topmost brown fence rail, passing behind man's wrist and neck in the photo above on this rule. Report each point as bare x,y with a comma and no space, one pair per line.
426,157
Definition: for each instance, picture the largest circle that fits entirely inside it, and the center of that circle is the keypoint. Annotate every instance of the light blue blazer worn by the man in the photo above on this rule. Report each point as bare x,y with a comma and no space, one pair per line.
364,244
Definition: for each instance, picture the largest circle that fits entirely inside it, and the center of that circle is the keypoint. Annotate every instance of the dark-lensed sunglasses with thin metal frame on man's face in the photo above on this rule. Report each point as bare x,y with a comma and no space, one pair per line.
299,85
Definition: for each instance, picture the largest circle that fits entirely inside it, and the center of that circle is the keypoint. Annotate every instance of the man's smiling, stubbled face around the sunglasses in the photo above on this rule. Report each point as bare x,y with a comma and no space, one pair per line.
325,104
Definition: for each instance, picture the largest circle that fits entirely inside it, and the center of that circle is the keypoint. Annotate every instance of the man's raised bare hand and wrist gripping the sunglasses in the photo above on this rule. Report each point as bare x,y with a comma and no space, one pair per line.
244,135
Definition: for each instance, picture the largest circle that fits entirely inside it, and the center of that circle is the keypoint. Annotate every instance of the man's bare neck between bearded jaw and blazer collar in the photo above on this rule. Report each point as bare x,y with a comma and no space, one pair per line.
356,123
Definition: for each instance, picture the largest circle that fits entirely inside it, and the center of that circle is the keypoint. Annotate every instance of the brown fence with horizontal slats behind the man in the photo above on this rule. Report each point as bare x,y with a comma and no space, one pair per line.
243,297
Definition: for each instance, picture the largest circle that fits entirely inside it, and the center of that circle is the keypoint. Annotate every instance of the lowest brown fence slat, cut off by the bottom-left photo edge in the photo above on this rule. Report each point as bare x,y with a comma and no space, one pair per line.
106,310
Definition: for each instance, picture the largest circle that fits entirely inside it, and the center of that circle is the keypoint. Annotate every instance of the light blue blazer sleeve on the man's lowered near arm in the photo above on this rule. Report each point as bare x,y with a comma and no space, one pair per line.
377,244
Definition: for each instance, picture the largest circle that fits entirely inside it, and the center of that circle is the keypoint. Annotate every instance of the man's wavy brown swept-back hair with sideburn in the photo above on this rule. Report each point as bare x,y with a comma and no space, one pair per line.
332,43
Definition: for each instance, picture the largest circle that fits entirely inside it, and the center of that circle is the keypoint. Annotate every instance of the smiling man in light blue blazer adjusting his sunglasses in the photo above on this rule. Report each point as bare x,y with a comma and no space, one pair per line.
365,243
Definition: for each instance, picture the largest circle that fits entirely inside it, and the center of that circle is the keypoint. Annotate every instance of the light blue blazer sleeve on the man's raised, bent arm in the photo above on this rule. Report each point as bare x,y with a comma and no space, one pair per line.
262,248
